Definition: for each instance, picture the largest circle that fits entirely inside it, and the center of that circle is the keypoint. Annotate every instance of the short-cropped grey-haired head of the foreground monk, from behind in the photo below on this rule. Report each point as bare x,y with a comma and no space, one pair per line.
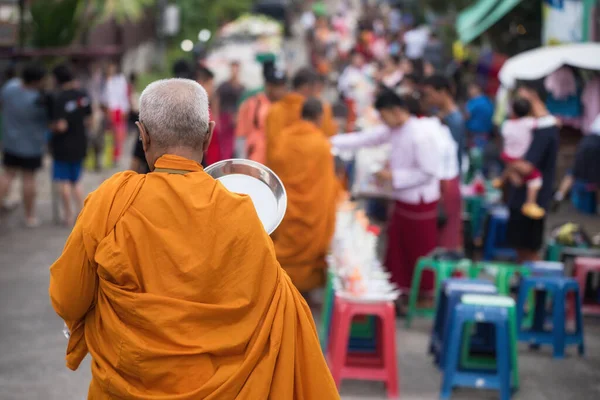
174,119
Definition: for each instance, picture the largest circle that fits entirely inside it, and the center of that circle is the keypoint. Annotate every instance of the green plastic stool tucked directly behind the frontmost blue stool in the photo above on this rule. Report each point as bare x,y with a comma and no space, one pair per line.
469,361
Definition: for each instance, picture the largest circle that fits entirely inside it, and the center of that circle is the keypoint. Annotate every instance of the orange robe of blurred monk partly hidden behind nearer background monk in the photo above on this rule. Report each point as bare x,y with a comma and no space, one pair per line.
286,112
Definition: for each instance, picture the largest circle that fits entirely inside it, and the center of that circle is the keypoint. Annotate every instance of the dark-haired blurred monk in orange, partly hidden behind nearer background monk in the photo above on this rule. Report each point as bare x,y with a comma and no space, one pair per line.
287,111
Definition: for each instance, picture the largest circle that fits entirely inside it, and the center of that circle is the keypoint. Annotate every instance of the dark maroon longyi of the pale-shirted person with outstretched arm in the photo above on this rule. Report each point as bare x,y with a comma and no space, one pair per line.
412,233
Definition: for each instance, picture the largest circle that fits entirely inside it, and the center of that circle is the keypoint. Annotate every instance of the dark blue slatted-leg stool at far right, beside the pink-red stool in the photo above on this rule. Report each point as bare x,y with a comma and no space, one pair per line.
558,288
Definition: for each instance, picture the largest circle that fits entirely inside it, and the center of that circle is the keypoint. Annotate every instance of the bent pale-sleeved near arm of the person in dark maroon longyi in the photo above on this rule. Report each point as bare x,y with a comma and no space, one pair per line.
427,167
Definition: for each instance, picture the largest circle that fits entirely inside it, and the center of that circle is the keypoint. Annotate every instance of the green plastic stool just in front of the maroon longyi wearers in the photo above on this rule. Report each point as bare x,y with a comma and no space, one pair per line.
443,269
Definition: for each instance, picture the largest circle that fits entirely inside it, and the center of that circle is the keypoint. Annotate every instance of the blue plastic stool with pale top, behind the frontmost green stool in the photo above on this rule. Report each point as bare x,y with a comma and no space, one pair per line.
451,292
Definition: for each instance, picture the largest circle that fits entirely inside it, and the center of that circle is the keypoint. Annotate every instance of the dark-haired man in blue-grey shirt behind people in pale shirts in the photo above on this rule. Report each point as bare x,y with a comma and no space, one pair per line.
438,93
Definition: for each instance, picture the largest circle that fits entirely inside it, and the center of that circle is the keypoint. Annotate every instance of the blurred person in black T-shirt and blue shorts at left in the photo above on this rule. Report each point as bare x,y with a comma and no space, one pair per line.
71,117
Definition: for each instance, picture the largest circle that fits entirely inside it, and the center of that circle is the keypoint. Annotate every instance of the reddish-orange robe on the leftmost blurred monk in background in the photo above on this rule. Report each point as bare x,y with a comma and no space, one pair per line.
252,118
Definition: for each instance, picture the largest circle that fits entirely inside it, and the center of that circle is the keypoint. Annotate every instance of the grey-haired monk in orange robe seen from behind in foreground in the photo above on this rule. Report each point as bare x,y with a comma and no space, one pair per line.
171,283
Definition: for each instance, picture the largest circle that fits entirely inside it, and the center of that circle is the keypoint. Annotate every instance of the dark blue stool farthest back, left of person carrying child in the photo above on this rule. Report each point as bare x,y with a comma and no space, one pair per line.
495,241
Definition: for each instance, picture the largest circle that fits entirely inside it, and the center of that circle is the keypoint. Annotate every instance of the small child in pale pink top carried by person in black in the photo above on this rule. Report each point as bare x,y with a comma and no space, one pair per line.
518,135
